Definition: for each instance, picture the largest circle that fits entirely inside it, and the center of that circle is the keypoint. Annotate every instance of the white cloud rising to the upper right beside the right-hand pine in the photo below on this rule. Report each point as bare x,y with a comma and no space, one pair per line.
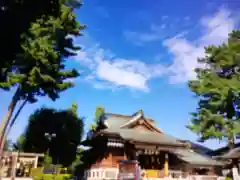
215,31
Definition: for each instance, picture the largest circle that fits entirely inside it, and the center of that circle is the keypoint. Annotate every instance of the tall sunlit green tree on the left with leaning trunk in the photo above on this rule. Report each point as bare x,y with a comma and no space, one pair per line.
40,69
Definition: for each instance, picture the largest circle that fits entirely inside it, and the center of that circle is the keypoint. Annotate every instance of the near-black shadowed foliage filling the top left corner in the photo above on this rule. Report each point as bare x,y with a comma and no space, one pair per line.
16,18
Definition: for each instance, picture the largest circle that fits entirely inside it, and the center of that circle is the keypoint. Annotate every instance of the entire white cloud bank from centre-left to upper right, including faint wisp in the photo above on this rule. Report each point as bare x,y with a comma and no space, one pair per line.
105,70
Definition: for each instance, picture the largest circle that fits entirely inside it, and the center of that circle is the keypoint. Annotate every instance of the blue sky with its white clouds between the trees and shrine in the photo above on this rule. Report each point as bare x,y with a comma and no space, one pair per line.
140,55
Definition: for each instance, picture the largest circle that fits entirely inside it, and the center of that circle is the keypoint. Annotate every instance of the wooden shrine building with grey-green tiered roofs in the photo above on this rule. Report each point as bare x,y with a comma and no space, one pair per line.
136,137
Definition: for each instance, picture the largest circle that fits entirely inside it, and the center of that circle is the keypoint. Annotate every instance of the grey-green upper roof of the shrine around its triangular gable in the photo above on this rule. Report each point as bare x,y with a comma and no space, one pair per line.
120,124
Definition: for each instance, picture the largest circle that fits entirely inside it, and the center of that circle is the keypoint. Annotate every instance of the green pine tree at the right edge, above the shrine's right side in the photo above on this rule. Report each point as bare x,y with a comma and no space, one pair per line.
217,88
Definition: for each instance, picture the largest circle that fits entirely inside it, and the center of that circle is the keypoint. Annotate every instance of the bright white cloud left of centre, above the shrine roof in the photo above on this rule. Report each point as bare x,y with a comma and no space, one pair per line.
117,72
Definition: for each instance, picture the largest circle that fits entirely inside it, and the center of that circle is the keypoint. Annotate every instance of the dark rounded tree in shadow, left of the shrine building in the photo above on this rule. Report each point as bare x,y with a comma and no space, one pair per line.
67,127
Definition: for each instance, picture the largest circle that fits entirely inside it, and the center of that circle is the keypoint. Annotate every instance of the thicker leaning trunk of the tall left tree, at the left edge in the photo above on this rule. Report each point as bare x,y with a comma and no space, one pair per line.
6,120
